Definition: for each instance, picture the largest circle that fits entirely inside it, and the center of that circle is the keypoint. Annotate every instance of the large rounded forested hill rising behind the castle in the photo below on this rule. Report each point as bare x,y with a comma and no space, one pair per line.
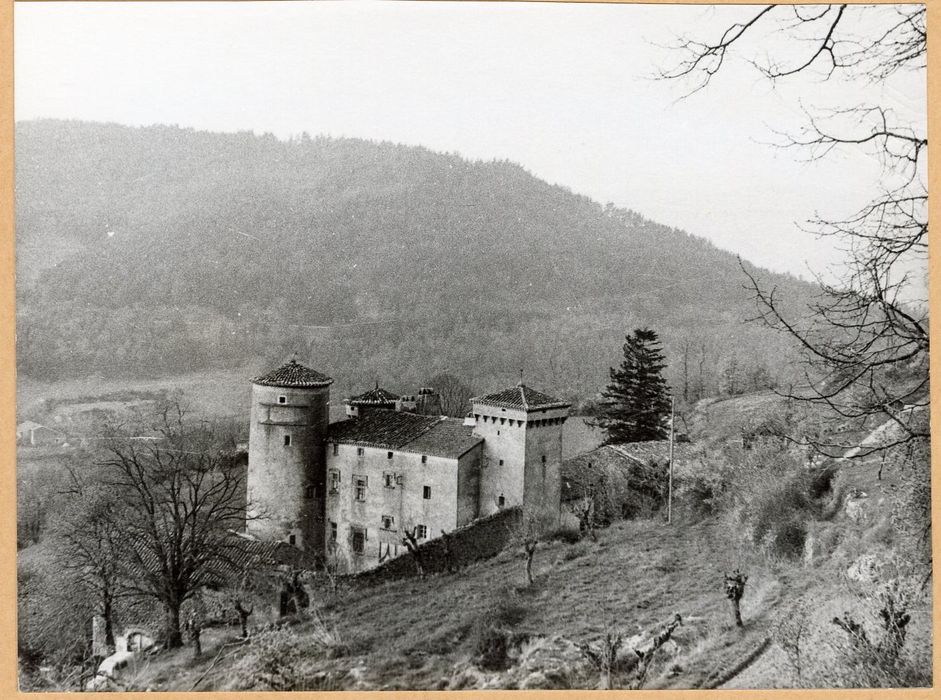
161,250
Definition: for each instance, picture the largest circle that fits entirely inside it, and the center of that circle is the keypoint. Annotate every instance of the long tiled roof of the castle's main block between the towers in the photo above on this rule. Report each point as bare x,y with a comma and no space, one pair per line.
407,432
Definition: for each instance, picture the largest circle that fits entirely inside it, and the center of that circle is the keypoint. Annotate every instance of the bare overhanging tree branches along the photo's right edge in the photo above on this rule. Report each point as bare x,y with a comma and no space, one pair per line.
865,340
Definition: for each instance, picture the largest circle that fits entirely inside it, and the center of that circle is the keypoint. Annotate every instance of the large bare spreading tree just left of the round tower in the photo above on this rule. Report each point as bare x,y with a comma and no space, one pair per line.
181,495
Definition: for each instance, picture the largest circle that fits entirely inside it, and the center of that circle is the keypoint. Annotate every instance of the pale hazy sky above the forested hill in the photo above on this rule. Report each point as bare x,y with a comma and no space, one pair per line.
565,90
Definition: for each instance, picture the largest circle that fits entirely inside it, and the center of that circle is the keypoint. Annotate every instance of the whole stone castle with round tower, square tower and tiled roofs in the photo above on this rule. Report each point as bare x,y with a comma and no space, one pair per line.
394,464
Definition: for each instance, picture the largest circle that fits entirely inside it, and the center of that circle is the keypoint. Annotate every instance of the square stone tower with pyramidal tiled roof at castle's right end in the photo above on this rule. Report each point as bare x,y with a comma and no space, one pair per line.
522,458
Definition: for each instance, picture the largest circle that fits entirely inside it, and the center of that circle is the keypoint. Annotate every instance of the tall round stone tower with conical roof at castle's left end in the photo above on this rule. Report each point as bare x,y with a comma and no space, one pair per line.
286,456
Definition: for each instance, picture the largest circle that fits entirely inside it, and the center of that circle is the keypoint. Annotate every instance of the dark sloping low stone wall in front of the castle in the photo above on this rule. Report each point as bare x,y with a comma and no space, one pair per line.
478,540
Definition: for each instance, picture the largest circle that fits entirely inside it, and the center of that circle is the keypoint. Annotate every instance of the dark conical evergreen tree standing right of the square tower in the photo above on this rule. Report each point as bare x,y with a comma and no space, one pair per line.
637,401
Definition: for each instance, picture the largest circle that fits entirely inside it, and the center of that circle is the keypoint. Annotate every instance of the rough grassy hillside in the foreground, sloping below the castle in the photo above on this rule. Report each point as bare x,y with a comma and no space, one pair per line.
416,634
